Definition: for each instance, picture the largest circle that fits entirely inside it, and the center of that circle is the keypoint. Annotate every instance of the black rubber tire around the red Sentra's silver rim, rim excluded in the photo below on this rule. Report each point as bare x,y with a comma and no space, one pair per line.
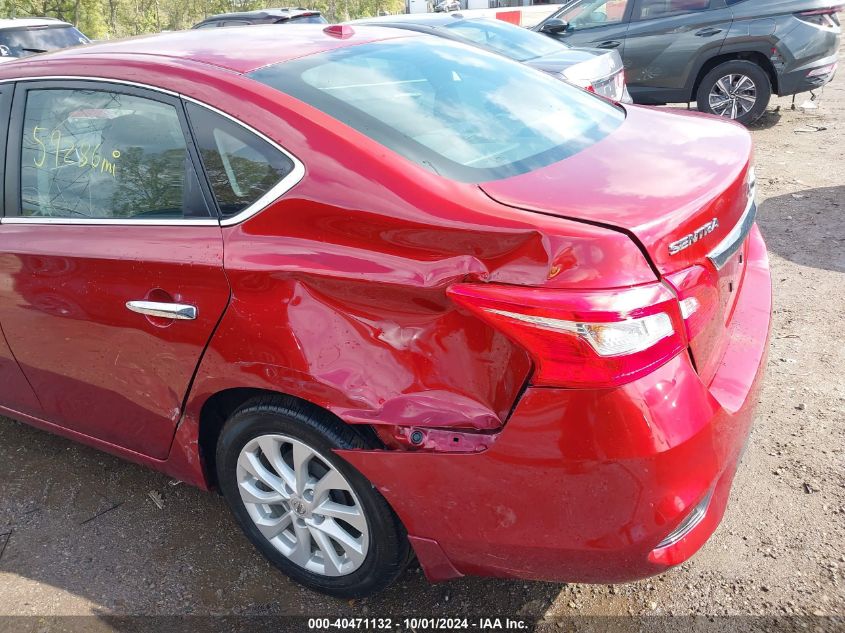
386,539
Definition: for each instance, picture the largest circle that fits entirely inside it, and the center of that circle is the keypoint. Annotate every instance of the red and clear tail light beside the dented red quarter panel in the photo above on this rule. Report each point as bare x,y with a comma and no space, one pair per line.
583,338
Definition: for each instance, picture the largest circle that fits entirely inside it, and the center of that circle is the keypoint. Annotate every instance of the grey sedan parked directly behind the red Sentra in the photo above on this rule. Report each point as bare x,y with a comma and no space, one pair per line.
596,70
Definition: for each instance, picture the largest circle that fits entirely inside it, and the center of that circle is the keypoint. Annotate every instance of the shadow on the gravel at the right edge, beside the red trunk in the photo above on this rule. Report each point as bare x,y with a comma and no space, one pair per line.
807,227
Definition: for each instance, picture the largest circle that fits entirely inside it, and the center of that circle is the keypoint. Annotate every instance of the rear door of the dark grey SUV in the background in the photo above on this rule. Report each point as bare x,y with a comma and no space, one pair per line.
666,42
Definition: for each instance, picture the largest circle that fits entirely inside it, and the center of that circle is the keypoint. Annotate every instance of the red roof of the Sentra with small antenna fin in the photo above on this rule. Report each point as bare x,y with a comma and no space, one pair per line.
241,49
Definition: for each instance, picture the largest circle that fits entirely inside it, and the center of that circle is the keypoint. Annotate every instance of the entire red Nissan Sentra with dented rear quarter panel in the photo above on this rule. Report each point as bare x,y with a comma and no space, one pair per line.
389,294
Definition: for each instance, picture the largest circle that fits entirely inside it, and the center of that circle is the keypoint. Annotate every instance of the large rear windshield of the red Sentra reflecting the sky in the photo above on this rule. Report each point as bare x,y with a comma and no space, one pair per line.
458,111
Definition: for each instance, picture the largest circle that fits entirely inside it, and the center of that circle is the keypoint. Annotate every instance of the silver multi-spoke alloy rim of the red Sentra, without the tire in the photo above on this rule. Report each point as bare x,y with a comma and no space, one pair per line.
302,505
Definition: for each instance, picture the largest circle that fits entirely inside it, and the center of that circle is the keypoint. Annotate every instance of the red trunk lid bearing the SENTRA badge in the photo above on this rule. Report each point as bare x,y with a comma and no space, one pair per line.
675,182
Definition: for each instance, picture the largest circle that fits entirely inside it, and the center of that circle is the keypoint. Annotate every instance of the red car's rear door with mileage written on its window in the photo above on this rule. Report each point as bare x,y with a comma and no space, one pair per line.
111,277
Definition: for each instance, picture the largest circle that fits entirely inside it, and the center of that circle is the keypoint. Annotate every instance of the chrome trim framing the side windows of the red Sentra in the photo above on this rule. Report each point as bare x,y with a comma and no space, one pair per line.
278,190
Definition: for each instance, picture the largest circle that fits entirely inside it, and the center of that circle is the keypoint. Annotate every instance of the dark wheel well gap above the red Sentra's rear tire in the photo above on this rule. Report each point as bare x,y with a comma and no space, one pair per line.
220,407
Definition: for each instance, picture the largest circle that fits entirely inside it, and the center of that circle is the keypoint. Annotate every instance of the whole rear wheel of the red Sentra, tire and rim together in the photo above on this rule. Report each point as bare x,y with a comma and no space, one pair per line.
265,433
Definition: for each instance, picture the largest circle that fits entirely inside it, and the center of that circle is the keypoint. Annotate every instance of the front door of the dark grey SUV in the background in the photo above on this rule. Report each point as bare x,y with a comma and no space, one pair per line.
596,23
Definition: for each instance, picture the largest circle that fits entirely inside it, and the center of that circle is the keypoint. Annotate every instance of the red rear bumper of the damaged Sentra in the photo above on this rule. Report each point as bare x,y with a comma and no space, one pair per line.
582,485
